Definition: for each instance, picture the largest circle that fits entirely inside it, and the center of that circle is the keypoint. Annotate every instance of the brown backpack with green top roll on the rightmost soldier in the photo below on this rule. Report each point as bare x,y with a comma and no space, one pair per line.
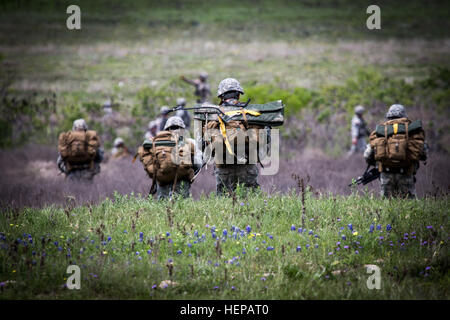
398,143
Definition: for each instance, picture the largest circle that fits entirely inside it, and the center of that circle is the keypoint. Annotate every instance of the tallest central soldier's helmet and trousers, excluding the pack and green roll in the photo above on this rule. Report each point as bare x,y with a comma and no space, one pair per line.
229,175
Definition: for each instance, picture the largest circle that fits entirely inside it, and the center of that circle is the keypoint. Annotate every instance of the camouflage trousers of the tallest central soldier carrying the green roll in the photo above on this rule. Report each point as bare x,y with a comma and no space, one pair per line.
228,176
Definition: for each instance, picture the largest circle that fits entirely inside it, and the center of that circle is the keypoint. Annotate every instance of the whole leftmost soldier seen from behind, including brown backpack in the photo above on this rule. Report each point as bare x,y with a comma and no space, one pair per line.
79,152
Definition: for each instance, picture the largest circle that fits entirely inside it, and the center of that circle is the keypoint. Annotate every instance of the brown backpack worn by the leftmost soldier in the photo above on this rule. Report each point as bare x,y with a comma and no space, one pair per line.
78,148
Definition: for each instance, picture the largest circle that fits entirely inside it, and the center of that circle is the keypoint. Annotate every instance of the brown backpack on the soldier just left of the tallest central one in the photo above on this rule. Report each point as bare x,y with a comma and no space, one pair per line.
156,157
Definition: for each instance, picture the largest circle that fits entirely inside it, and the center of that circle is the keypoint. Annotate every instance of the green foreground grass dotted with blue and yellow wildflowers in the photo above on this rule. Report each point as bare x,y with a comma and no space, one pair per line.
413,268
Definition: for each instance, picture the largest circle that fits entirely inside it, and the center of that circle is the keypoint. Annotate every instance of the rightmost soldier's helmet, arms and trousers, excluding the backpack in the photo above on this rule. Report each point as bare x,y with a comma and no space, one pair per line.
399,181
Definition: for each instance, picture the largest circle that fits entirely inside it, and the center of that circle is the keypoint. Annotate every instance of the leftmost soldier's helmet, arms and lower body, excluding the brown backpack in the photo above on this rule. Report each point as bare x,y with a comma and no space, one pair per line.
83,173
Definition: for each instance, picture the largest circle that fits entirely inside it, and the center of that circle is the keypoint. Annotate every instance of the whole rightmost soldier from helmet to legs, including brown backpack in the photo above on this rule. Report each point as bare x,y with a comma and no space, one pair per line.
396,147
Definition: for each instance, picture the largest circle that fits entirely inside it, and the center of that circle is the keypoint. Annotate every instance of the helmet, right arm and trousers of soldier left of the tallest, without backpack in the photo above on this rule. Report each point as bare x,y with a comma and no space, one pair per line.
182,187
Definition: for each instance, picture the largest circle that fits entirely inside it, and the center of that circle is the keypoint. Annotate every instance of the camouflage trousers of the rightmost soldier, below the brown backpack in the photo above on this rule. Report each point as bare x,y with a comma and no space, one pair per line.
397,185
